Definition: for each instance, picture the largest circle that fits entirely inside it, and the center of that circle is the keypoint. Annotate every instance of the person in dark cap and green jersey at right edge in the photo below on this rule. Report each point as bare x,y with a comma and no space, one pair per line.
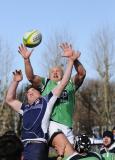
108,149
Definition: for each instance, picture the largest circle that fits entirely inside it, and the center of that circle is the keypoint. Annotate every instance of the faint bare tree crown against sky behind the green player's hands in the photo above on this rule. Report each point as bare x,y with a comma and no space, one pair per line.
52,51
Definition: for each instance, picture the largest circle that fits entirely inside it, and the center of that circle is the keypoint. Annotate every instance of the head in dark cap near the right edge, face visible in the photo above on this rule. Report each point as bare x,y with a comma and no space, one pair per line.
108,138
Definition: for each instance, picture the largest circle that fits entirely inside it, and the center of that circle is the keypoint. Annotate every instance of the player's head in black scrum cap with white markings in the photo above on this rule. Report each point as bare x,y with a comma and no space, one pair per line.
83,144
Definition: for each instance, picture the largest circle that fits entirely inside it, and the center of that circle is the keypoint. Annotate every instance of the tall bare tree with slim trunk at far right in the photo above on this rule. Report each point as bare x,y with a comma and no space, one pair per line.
103,47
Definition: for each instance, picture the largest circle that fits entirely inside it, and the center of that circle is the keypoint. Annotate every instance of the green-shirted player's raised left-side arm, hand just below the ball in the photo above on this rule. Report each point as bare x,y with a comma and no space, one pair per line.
34,79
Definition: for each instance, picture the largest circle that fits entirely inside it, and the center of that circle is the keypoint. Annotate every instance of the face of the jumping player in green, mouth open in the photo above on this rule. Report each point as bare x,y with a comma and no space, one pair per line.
56,74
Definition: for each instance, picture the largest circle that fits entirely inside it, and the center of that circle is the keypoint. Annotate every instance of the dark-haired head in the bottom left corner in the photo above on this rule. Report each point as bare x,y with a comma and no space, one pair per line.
11,147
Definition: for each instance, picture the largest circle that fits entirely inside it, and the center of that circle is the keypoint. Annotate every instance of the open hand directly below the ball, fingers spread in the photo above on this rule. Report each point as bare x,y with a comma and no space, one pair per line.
22,49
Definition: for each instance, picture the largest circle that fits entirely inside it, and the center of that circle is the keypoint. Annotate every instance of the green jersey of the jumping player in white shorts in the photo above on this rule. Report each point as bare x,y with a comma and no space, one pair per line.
64,106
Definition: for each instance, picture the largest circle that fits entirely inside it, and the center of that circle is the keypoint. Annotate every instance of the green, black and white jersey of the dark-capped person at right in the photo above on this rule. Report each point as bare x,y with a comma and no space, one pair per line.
108,154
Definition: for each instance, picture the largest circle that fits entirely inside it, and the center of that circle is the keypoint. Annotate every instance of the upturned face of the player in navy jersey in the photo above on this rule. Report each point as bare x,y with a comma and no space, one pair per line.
32,95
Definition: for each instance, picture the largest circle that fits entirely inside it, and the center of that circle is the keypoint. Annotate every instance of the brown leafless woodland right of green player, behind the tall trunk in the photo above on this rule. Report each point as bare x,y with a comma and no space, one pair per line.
90,107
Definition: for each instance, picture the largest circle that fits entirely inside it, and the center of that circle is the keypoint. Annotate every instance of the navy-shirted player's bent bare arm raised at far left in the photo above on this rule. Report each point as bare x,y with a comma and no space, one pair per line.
11,93
